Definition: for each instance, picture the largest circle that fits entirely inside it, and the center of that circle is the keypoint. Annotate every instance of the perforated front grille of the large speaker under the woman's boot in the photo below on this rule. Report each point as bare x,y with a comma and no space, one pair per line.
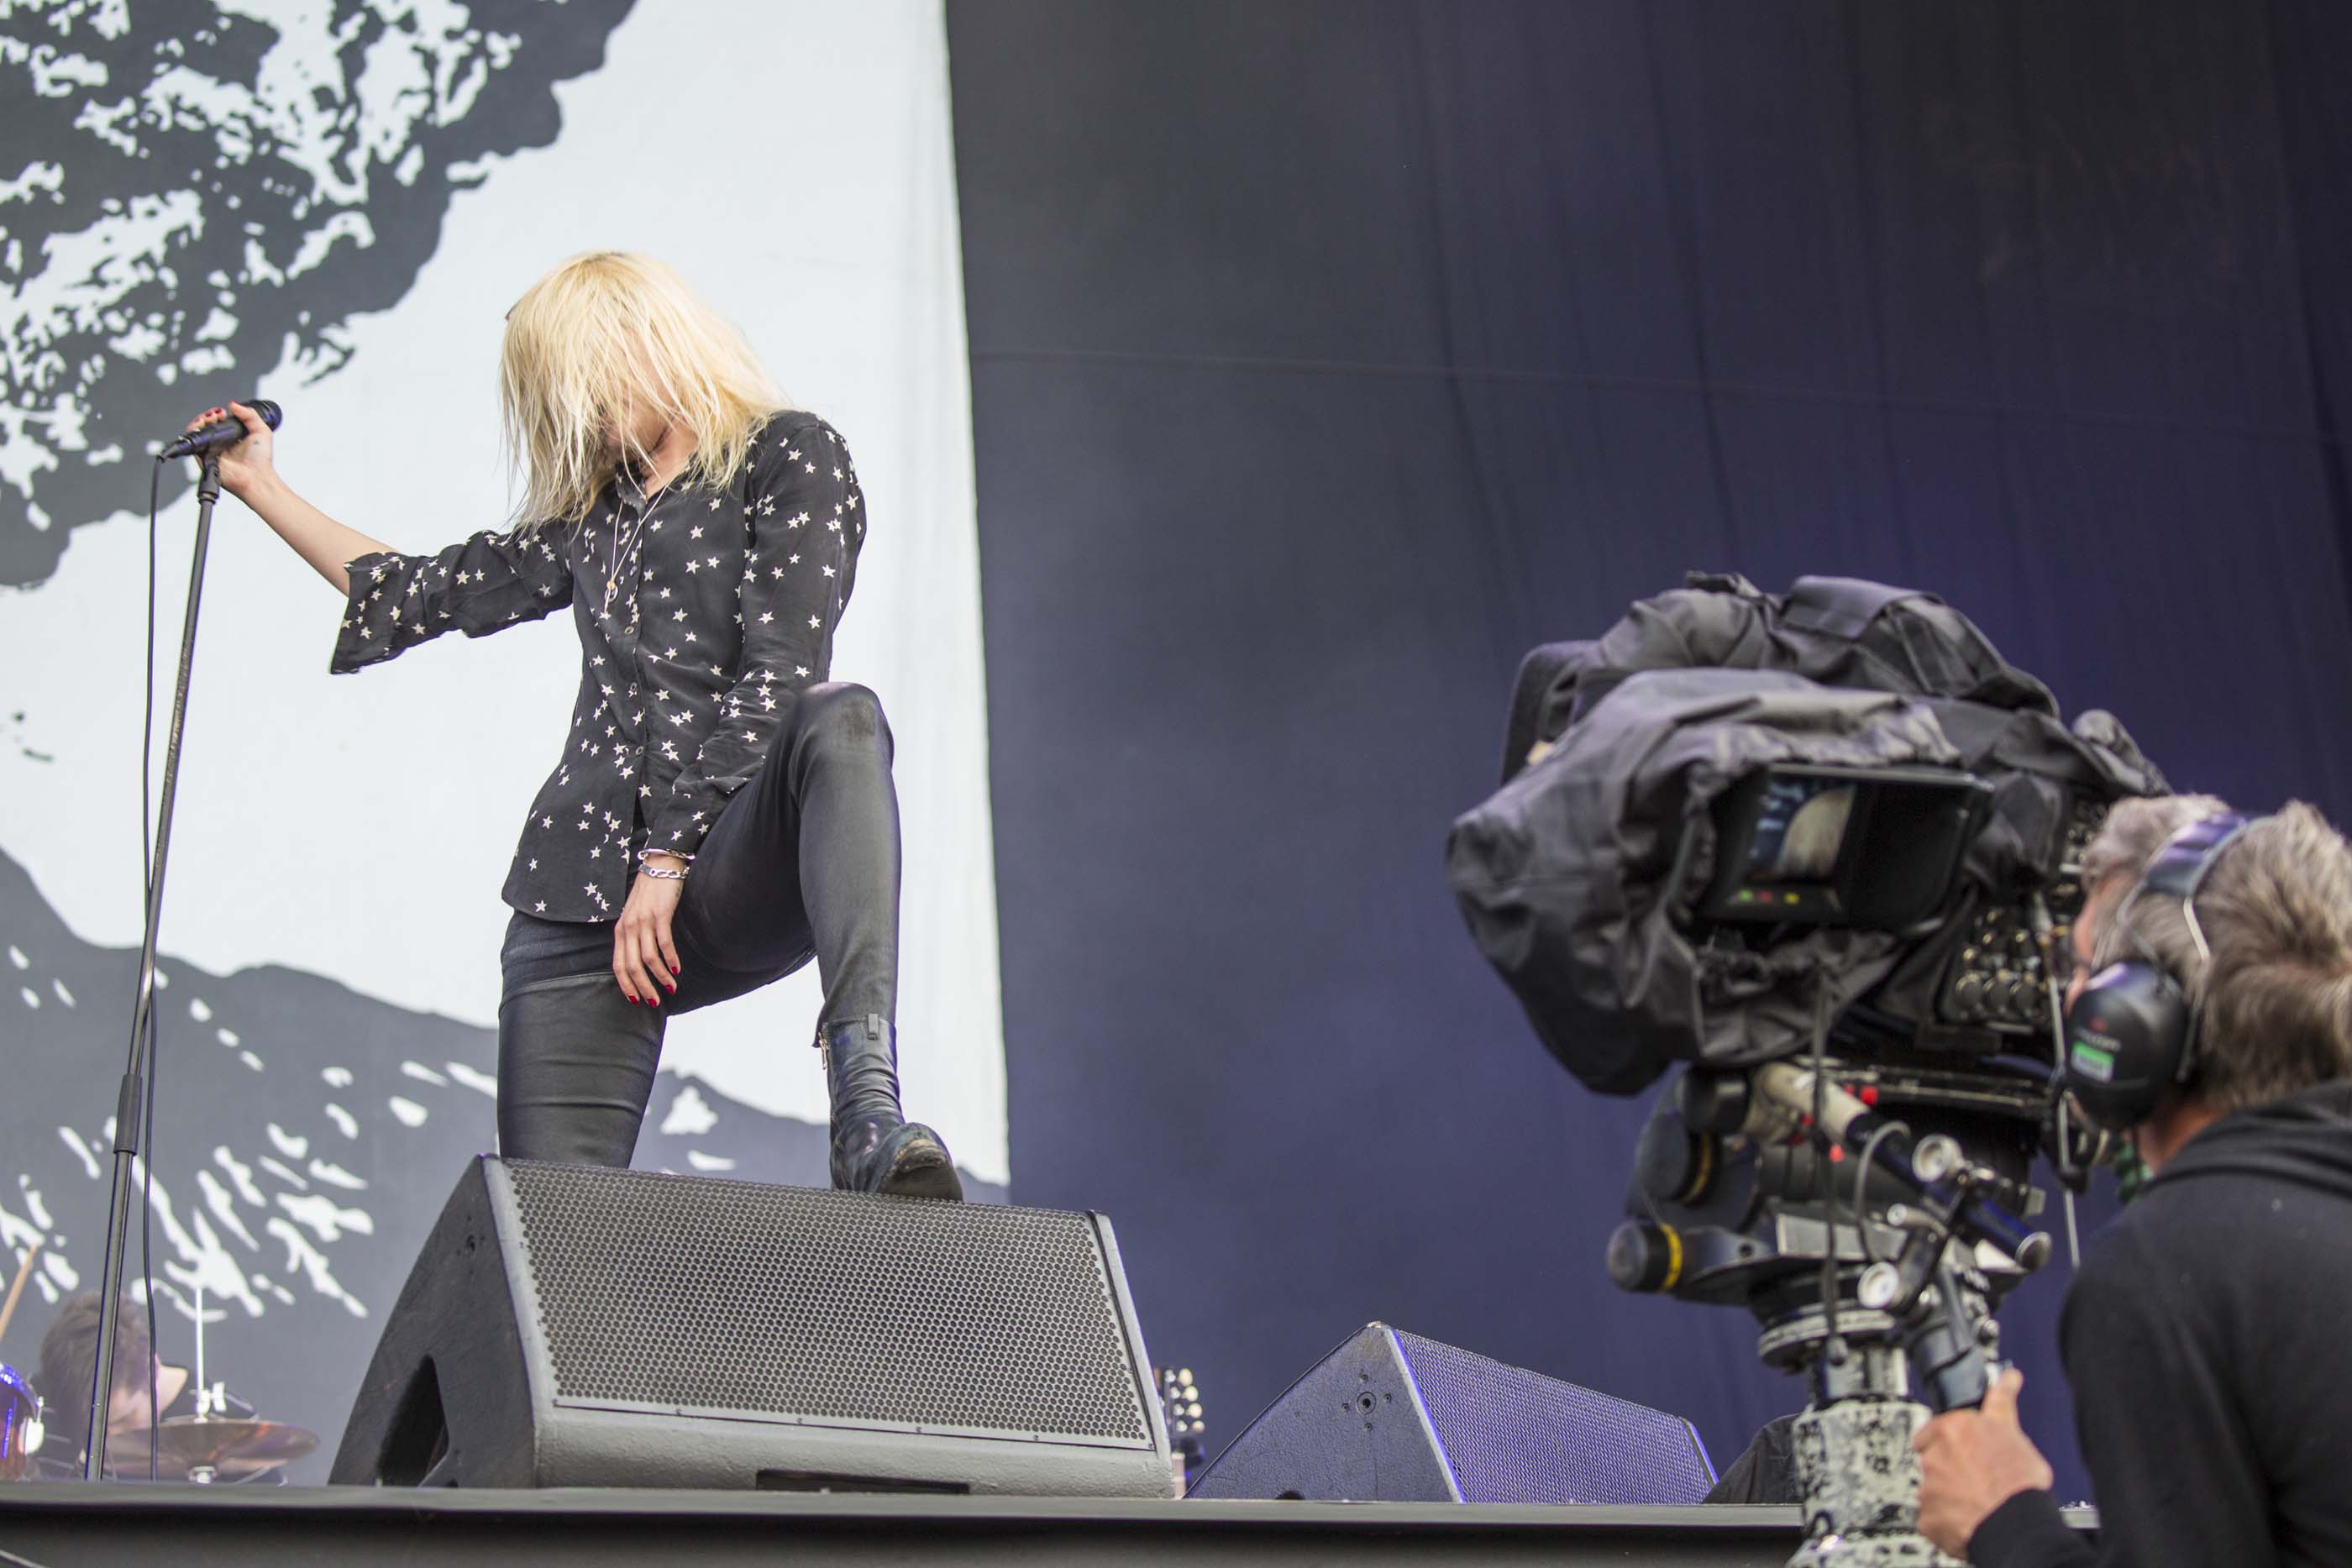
791,1304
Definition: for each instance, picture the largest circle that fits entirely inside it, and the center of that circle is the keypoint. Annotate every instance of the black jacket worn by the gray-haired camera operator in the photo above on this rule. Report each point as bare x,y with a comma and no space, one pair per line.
2210,1355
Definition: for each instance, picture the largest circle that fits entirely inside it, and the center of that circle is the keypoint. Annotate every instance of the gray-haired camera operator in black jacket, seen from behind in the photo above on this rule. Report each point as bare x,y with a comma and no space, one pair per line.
2205,1339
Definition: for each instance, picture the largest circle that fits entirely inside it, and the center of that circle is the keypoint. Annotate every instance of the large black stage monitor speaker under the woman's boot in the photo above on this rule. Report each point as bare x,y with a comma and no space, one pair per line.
587,1327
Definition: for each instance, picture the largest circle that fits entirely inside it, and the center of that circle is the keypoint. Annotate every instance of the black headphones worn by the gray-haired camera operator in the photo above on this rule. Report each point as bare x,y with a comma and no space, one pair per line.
2132,1036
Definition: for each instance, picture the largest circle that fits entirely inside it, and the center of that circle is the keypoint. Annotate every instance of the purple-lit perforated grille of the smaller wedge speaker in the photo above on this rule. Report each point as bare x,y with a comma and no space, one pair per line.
1518,1438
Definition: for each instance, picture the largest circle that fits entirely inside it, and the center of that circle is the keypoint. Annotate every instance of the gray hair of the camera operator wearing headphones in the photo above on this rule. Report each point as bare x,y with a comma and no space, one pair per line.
2278,918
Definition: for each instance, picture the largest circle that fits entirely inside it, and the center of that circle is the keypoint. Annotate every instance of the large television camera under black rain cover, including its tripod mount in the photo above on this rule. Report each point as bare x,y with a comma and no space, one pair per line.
1815,852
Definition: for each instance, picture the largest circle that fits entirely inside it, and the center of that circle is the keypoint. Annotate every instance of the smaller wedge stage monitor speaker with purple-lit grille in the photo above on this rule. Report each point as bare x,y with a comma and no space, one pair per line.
1396,1419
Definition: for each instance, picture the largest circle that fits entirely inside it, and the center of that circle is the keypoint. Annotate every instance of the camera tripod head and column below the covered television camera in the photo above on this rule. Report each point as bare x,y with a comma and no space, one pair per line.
1871,1257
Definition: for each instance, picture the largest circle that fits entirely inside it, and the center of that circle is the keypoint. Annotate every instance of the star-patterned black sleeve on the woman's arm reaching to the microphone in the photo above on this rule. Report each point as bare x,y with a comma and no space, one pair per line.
479,587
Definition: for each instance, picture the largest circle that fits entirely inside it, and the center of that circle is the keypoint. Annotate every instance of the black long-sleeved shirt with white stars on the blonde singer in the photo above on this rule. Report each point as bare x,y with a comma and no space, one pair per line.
700,617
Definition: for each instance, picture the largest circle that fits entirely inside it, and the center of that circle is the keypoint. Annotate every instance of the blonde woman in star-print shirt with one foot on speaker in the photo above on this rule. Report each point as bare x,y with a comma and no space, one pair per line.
721,810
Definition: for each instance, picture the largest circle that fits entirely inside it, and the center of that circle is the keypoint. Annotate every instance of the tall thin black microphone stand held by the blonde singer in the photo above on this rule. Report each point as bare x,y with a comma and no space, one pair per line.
131,1108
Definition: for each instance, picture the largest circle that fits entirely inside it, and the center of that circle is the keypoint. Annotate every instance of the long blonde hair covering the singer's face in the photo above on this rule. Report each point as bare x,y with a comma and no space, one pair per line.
599,340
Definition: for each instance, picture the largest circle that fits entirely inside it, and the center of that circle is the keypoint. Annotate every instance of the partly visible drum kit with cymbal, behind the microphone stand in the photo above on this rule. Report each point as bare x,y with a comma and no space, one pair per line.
201,1449
